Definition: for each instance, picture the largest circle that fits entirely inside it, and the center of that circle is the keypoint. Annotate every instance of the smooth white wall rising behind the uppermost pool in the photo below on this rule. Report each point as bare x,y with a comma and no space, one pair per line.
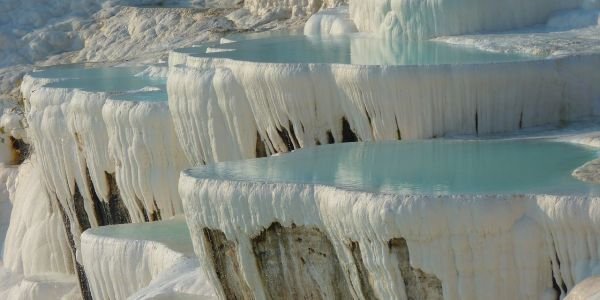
424,19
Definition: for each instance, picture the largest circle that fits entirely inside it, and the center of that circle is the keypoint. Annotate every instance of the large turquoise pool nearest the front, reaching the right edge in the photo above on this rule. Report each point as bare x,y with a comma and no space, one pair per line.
438,167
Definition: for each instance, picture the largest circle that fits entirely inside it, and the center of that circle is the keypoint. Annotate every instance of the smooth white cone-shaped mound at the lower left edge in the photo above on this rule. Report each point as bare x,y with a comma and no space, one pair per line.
37,260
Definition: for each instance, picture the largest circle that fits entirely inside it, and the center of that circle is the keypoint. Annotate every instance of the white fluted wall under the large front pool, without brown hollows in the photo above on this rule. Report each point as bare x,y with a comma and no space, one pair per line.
492,247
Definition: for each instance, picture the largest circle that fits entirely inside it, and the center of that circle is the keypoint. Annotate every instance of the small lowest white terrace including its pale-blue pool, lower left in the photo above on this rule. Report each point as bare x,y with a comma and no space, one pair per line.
143,261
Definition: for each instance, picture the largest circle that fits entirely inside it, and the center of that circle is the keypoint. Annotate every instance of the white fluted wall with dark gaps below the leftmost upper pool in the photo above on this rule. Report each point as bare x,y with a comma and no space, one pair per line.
103,161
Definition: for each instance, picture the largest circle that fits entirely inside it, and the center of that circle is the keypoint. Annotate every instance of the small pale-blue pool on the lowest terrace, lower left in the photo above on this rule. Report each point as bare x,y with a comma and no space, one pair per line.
173,233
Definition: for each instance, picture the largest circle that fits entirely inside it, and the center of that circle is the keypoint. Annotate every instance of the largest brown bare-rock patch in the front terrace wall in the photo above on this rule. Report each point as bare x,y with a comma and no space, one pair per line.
299,262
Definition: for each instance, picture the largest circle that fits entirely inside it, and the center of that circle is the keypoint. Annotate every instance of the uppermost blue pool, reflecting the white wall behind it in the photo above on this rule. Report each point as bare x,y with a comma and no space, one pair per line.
357,49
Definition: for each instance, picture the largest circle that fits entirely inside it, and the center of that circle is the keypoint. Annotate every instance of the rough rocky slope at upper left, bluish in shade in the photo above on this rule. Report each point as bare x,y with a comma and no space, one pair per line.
75,31
